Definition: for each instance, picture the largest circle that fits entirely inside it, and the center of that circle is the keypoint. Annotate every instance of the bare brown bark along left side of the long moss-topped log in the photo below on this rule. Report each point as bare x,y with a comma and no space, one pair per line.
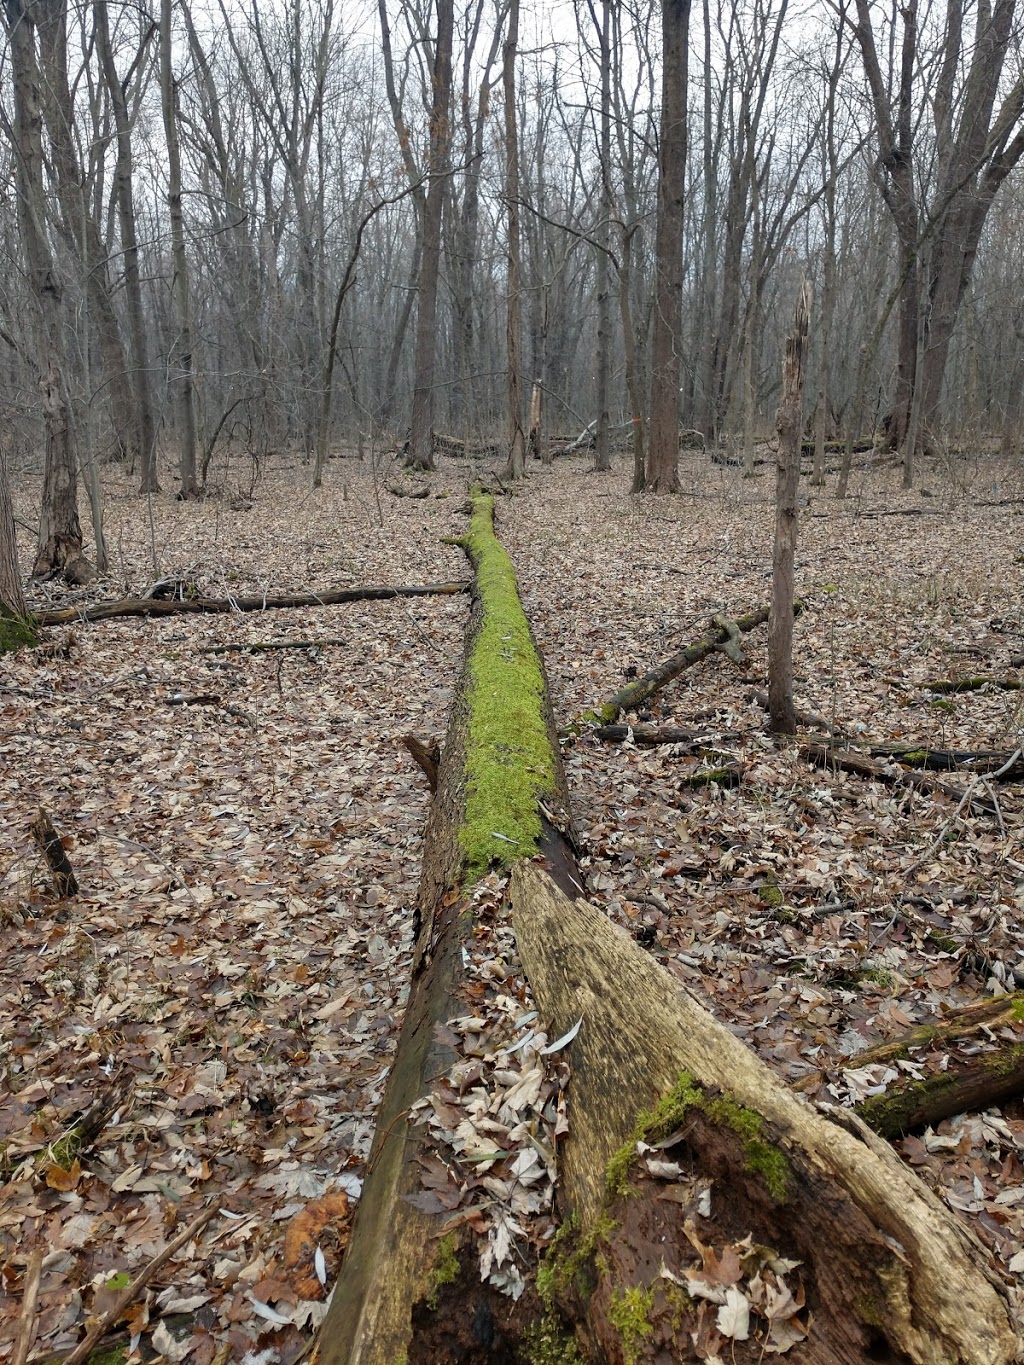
376,1311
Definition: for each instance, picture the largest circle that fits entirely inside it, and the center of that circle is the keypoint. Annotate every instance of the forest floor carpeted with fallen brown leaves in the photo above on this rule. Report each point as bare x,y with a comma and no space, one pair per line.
249,865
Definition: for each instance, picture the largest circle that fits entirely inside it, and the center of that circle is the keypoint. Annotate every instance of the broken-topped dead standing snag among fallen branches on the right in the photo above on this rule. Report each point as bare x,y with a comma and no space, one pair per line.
790,422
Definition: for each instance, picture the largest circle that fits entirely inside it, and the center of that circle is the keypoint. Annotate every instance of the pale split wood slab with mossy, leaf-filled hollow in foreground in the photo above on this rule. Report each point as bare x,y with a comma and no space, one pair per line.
887,1271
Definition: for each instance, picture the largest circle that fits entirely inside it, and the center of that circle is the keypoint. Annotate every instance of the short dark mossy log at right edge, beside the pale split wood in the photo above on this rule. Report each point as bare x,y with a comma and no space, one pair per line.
965,1063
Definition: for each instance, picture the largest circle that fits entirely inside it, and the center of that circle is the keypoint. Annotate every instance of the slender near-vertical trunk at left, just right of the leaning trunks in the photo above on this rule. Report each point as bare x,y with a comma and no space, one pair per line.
181,294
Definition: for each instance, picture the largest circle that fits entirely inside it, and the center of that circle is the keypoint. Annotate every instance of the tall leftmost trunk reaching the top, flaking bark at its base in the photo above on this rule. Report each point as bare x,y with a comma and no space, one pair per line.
61,532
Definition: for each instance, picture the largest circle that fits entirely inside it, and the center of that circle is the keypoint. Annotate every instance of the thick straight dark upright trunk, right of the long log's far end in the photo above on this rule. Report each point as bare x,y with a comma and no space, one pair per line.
663,465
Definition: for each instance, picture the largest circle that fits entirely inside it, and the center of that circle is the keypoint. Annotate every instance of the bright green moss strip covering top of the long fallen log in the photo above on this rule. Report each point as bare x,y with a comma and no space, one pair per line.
510,765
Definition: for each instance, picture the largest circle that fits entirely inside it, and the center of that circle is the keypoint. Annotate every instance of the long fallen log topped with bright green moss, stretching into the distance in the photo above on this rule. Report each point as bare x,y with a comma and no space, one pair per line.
499,762
